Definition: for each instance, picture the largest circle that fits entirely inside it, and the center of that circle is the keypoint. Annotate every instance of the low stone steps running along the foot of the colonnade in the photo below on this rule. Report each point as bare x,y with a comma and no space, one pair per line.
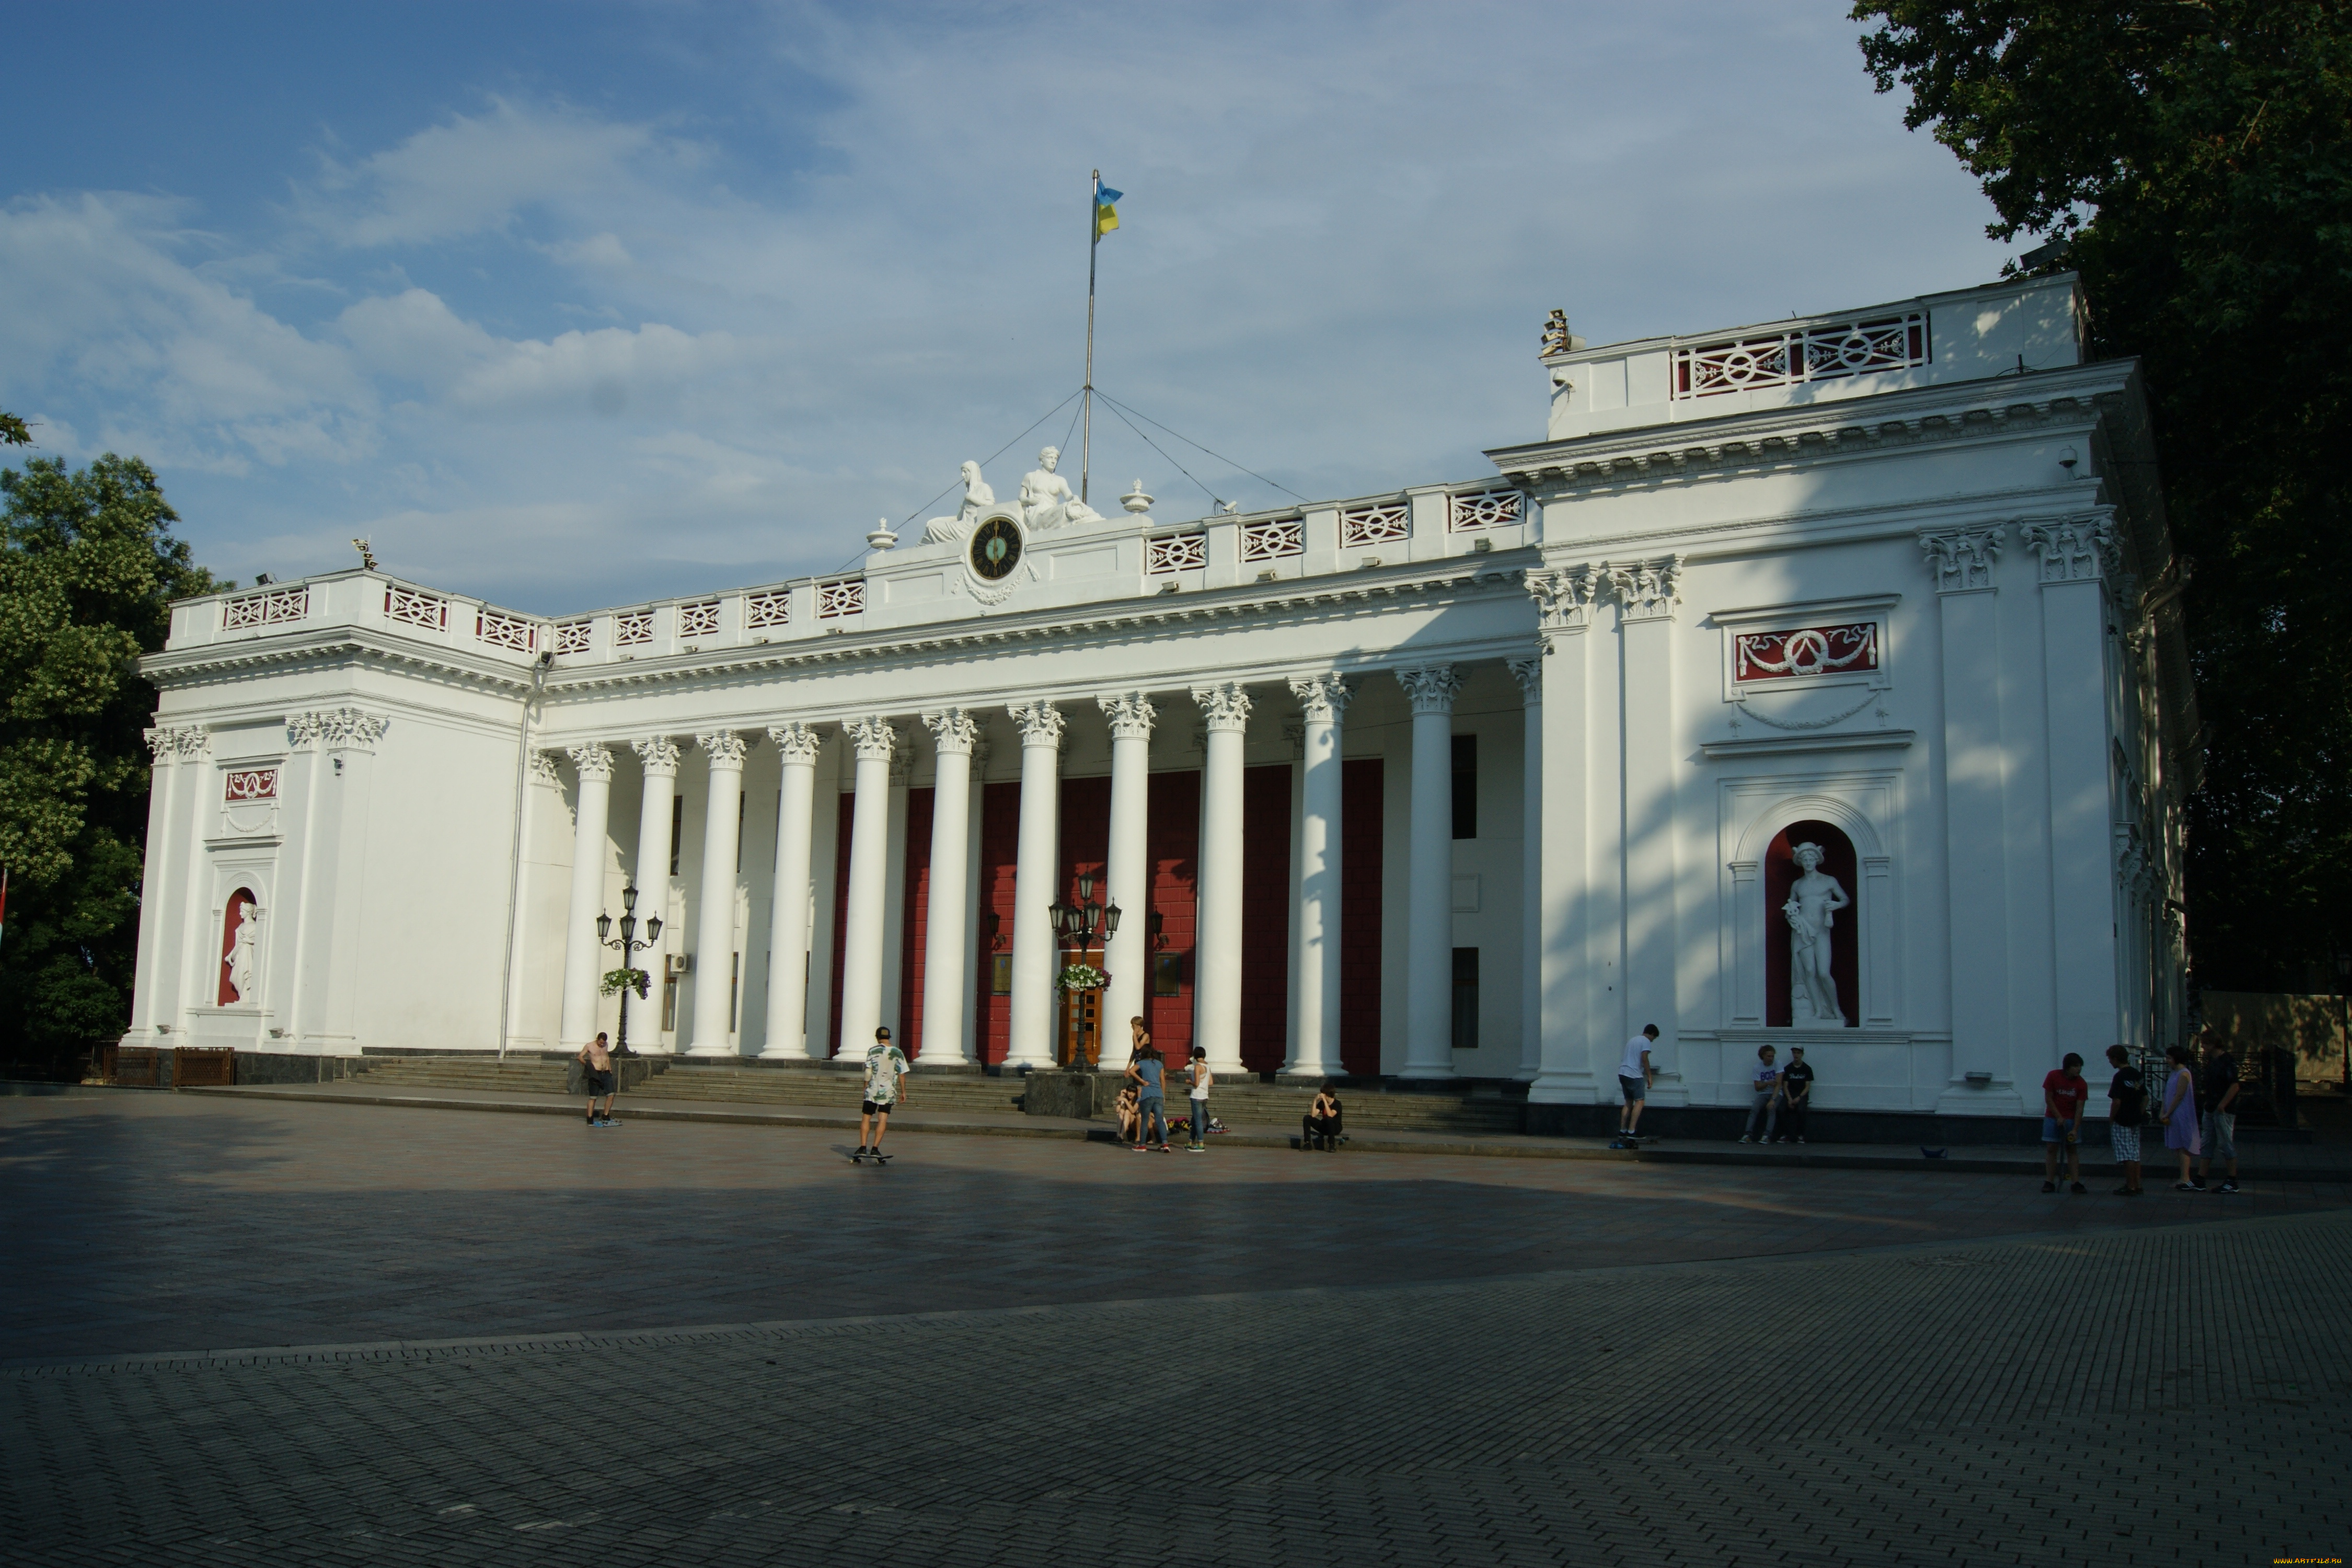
1250,1104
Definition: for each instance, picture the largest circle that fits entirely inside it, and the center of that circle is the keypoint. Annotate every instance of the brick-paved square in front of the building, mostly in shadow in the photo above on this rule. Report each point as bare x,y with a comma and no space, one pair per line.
728,1346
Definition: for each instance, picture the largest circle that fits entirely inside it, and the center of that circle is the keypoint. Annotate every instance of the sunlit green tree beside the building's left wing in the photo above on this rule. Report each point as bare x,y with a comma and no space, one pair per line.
88,568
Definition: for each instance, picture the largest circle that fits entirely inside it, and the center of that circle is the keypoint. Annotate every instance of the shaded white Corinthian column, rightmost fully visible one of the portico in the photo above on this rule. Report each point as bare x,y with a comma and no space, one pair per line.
1429,918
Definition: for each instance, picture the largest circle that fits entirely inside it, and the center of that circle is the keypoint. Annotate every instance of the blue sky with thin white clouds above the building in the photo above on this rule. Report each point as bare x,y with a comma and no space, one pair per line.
592,304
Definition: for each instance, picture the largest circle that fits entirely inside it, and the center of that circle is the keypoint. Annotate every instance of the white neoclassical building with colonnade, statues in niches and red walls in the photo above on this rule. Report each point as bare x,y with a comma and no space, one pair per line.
1462,782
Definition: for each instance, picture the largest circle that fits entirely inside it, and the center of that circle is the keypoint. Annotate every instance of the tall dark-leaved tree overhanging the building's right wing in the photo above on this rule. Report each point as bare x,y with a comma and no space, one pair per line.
2193,161
